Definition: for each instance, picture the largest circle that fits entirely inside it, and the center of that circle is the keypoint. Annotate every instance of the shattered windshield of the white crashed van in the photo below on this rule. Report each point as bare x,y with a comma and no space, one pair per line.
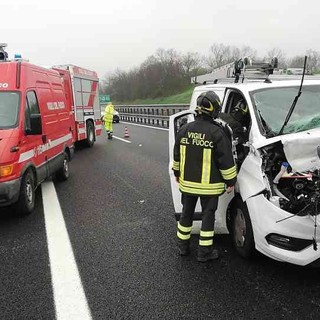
273,104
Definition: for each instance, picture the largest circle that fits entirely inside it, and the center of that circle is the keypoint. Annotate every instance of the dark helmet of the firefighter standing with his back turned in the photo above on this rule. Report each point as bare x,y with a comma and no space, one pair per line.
209,103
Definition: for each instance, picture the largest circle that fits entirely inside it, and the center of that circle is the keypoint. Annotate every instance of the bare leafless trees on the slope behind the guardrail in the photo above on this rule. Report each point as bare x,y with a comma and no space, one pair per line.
168,72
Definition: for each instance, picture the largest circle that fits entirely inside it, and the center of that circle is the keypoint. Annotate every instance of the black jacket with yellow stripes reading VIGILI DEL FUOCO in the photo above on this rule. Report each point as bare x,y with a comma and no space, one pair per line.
203,158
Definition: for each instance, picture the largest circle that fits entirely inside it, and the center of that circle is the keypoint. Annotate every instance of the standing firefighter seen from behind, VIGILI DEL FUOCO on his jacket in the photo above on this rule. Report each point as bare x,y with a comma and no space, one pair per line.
204,168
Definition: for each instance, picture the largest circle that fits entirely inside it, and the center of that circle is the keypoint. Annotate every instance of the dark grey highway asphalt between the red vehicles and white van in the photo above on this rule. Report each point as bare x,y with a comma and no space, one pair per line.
119,216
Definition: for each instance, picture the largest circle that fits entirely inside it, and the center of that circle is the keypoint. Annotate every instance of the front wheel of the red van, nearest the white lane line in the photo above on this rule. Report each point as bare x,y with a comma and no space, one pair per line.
25,204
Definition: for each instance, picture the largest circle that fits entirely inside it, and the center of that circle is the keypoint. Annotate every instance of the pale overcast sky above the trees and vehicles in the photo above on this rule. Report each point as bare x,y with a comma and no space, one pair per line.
104,35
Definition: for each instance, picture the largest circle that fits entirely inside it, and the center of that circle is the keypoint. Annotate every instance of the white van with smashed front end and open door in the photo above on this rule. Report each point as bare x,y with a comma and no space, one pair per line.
276,204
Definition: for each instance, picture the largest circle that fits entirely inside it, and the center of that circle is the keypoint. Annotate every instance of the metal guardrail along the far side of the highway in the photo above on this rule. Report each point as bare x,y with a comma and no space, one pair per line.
154,115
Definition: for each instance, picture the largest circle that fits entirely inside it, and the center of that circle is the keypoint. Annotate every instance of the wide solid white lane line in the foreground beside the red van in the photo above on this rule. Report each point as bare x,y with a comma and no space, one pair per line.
69,297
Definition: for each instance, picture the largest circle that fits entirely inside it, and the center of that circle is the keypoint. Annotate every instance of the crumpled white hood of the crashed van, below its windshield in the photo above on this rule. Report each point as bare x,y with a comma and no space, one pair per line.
301,149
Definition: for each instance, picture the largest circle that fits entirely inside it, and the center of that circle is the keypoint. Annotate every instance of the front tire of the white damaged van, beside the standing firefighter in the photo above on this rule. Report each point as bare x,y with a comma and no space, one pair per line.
242,233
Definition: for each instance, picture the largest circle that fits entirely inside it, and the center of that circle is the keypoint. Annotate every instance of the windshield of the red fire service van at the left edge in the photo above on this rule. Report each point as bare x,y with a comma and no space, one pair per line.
9,105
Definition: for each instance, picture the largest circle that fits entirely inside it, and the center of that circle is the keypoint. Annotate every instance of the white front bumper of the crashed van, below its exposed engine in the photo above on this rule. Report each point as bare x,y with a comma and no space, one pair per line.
268,229
